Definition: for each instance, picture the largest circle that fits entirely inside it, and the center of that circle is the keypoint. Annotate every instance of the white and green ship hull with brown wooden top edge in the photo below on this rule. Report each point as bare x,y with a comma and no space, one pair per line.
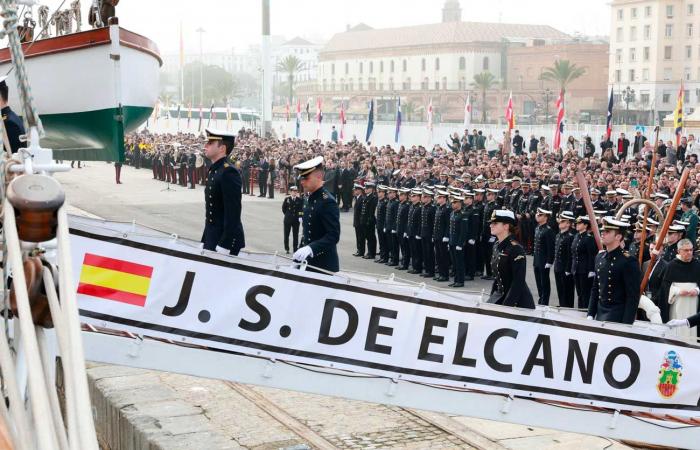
90,88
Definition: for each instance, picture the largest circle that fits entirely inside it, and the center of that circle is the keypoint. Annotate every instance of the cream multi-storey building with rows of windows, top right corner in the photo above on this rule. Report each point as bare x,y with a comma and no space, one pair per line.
654,44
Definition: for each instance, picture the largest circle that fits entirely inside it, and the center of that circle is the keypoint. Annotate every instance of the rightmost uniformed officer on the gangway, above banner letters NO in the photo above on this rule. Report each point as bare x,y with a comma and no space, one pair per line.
615,292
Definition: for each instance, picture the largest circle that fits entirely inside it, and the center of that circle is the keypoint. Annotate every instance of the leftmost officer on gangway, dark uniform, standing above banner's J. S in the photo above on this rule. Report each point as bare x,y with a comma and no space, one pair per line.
223,230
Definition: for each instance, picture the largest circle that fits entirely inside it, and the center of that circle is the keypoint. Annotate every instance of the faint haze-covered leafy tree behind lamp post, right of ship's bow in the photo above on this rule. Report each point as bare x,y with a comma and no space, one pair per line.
218,84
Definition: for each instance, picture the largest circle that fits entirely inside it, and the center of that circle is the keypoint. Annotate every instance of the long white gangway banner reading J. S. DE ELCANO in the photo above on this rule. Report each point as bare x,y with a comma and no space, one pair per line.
162,287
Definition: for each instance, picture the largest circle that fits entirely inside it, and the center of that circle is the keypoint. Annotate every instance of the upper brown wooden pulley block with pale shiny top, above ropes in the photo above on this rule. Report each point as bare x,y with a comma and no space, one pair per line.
36,199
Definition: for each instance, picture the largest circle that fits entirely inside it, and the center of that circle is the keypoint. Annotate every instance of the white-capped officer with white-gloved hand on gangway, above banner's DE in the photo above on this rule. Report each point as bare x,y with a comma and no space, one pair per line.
321,222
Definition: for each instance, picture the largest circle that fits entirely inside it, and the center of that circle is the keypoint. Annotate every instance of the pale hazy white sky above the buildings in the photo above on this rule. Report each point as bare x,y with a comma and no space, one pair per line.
237,23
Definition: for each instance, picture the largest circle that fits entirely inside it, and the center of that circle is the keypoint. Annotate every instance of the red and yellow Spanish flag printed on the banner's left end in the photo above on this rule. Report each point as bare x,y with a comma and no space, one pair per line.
115,279
